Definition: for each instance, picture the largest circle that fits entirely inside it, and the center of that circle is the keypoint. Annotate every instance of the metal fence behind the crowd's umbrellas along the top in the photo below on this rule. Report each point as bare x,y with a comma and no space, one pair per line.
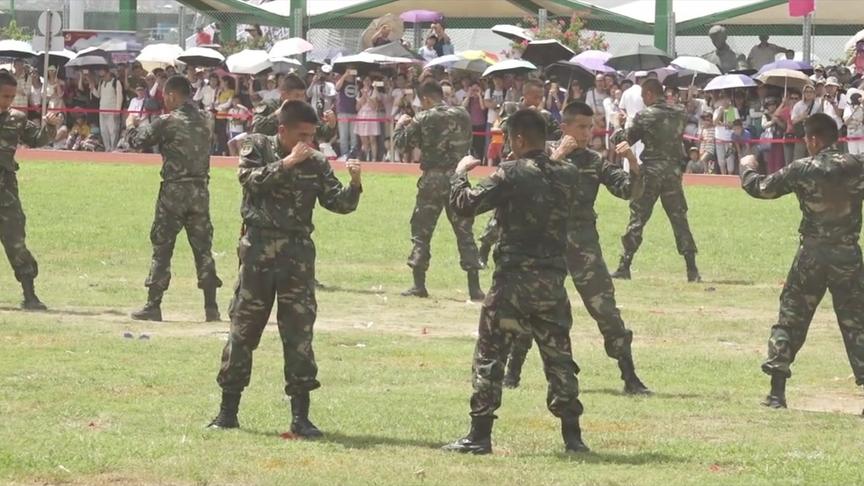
168,21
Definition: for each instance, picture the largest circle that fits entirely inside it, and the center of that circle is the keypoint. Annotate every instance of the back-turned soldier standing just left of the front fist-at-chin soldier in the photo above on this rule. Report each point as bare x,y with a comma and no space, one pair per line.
183,136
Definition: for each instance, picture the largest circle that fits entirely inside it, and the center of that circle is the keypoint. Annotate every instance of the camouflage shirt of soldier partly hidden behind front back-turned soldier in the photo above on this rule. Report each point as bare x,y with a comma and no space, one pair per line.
594,171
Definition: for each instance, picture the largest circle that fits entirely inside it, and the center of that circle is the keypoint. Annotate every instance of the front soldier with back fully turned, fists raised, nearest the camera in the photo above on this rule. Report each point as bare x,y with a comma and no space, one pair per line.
532,197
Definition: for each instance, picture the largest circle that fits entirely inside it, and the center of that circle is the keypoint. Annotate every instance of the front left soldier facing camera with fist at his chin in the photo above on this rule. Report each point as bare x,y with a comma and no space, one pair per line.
282,178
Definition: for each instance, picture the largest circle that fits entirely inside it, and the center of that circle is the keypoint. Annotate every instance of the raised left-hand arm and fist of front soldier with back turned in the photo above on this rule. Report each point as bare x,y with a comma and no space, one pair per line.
485,196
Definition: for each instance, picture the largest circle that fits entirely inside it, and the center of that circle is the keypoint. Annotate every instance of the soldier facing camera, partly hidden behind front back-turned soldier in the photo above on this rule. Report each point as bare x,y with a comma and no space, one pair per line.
584,256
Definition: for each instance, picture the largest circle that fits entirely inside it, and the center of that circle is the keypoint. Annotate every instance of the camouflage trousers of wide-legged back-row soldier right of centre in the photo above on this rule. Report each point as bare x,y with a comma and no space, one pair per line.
667,187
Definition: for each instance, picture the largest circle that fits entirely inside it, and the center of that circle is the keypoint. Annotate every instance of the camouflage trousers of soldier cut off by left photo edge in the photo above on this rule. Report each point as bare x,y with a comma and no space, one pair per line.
12,234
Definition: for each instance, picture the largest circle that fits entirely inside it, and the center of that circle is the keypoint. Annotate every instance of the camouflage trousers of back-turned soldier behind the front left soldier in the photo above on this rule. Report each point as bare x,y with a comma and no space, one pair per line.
182,205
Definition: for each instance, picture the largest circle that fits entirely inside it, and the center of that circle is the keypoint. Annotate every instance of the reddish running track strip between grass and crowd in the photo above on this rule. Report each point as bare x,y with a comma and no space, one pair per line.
373,167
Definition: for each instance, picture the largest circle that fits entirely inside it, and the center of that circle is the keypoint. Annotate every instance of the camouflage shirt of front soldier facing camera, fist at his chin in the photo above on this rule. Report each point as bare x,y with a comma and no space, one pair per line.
275,198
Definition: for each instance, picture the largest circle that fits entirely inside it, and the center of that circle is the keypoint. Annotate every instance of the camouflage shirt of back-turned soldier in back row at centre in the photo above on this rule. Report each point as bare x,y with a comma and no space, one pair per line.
442,133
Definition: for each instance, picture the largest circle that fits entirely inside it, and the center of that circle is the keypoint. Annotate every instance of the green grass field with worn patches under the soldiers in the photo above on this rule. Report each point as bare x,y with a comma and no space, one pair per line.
82,405
